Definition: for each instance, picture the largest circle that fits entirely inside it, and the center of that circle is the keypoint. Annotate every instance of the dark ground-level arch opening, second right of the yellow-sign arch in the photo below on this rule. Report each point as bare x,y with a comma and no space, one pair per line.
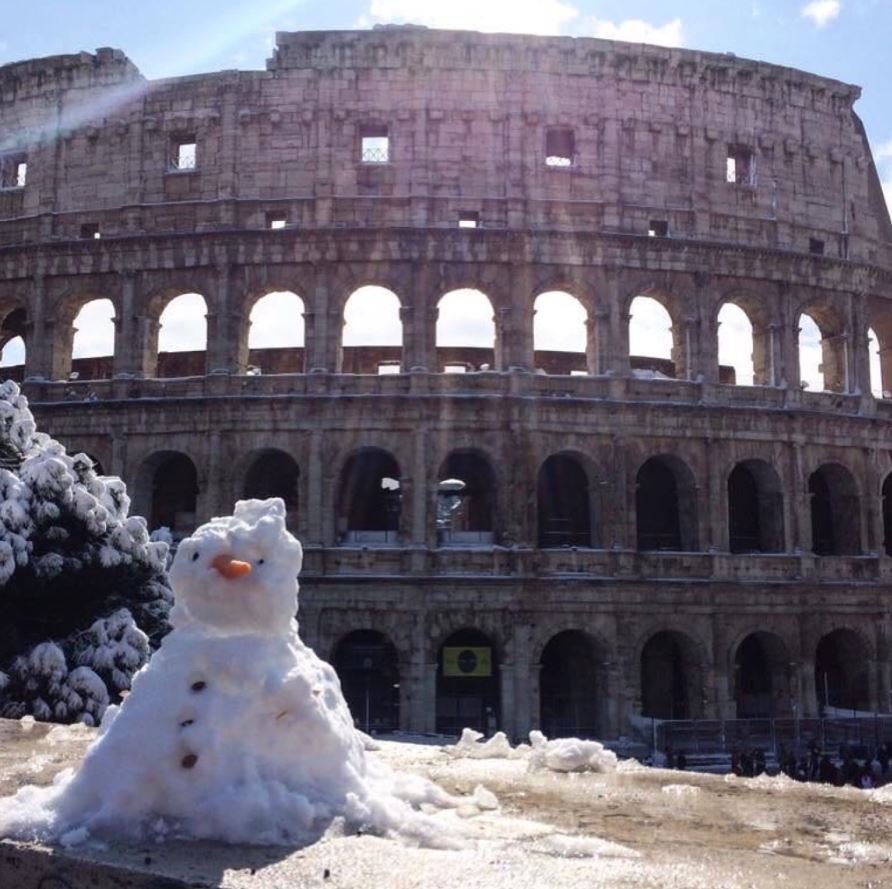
671,677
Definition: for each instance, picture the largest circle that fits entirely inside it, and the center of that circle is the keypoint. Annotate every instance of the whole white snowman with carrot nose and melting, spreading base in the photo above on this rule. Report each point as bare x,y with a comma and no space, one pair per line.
235,730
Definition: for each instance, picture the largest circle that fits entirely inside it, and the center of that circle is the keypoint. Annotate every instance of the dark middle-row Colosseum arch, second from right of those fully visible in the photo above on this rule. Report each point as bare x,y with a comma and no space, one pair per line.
755,509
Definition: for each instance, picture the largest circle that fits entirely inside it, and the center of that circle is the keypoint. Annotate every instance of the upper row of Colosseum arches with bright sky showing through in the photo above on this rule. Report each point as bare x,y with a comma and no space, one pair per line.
466,319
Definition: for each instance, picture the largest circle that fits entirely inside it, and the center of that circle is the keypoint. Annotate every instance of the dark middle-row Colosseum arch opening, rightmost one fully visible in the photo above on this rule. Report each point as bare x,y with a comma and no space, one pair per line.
835,511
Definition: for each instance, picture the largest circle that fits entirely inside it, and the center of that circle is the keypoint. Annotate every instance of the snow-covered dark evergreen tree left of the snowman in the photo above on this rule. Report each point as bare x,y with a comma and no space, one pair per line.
83,589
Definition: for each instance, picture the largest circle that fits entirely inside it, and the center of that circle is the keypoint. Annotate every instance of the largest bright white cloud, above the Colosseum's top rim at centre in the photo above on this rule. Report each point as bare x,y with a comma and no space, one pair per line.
507,16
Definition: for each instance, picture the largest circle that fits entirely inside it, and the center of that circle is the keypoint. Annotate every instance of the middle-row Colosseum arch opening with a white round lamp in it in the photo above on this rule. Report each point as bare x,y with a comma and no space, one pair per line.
466,496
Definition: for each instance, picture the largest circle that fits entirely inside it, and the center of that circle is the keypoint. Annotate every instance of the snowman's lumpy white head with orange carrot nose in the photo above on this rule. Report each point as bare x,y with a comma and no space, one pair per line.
238,573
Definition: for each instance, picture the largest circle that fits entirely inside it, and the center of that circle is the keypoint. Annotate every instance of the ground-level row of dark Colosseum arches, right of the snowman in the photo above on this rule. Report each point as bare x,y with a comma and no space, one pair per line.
574,681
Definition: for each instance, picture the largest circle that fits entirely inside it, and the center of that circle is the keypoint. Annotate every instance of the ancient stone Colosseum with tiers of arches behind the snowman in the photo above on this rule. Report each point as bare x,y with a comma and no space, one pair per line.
511,534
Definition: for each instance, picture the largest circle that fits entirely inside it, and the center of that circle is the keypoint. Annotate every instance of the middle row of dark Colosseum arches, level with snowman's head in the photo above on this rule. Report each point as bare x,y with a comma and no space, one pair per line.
368,503
